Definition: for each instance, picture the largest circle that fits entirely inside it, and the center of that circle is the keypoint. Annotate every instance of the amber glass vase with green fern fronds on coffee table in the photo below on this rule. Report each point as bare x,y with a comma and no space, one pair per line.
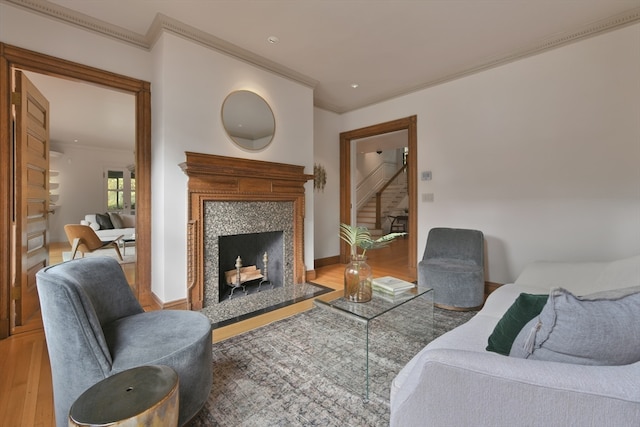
358,275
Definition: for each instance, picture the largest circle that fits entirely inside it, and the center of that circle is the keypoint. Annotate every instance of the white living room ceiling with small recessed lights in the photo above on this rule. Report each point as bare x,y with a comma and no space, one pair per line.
387,47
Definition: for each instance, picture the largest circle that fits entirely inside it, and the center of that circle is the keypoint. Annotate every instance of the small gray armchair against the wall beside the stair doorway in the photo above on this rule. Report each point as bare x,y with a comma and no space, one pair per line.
453,265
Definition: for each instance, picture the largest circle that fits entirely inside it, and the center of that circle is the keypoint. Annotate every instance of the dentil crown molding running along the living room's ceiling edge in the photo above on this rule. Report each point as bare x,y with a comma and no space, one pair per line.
163,23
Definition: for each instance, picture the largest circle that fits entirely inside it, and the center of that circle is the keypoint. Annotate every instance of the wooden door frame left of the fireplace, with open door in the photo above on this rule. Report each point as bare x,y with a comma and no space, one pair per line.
15,57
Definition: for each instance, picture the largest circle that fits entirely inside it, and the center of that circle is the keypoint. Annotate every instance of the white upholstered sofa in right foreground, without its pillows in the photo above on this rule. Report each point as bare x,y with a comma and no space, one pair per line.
454,381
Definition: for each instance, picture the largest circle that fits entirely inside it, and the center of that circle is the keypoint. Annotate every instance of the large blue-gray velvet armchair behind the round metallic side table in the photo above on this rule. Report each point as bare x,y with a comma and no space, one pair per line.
95,328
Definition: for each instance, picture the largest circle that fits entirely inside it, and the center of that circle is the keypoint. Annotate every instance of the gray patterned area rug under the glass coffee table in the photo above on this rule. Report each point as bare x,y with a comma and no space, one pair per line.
283,373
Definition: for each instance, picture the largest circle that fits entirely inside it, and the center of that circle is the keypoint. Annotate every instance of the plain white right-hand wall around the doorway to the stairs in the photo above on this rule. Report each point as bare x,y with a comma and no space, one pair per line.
542,155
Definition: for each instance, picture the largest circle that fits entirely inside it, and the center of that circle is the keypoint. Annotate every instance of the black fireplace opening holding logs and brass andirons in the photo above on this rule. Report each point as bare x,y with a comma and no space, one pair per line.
241,259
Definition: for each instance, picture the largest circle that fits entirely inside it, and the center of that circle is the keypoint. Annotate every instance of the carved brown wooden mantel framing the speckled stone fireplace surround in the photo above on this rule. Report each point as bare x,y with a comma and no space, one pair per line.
220,178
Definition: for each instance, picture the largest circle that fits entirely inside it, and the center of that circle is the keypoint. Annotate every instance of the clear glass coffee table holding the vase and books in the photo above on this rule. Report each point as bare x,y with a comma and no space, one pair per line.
384,322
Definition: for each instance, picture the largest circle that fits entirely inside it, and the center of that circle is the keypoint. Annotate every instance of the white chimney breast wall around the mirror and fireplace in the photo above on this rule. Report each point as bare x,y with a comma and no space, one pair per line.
192,85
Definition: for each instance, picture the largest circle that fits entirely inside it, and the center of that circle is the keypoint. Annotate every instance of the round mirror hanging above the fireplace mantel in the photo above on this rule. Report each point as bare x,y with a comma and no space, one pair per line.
248,120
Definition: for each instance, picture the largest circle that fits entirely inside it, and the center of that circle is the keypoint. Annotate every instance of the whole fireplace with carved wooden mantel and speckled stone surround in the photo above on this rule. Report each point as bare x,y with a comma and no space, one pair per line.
248,206
